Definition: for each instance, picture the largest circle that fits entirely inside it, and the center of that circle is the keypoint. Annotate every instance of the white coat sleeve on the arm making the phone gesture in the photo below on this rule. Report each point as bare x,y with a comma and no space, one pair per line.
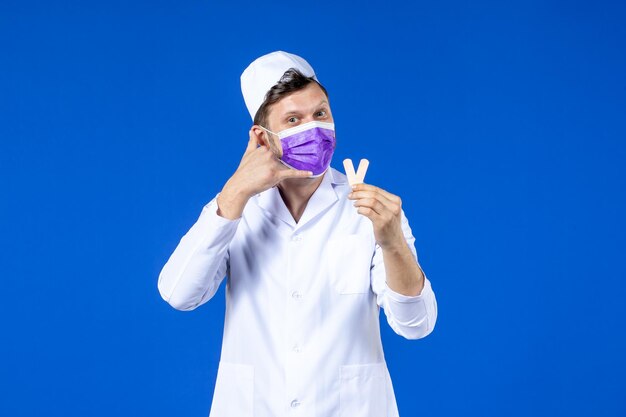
200,262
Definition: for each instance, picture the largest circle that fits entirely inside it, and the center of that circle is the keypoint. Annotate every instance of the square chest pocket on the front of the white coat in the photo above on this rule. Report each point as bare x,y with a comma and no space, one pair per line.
349,260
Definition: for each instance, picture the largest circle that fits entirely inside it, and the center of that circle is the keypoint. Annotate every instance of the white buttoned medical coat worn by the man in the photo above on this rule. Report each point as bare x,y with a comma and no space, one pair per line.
301,333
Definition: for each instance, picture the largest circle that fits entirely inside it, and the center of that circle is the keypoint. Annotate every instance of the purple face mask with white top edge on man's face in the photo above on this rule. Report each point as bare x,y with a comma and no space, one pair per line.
308,147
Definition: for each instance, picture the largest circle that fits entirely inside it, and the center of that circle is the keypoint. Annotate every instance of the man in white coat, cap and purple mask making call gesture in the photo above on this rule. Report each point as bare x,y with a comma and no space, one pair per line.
309,261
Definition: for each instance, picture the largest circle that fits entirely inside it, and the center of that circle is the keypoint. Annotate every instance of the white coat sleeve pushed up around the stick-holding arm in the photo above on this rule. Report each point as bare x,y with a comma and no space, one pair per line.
412,317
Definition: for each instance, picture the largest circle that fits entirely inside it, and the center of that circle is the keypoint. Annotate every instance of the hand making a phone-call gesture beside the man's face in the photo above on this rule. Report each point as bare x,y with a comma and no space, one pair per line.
259,170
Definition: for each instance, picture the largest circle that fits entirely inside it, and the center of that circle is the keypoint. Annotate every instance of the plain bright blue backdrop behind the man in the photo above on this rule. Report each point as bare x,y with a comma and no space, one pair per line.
502,127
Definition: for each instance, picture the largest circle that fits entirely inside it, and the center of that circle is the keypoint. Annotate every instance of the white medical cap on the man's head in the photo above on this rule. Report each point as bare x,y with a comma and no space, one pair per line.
265,72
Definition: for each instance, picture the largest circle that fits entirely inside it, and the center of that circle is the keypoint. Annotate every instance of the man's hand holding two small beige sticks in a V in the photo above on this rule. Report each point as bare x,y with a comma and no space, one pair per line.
384,210
